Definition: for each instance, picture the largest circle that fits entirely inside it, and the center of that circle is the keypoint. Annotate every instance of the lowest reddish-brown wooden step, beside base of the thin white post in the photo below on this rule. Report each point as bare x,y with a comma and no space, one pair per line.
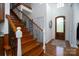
35,52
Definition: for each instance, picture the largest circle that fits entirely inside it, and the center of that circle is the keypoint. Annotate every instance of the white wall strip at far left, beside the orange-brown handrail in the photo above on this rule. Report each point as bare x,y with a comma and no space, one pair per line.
4,26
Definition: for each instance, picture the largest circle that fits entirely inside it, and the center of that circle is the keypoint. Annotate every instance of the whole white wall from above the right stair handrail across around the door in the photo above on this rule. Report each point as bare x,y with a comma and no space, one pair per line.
50,11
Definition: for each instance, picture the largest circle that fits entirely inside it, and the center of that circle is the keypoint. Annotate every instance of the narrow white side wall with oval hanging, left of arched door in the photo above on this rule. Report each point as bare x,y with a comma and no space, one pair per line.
48,34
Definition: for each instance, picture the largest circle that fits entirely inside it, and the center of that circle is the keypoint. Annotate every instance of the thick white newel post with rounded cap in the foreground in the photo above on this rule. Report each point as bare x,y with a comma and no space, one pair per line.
19,36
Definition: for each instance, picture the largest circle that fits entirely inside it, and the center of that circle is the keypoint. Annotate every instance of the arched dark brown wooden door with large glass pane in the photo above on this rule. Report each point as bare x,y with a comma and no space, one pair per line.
60,27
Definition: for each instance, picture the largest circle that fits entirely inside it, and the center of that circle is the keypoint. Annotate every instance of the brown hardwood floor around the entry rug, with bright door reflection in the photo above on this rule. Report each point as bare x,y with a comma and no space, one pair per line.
52,50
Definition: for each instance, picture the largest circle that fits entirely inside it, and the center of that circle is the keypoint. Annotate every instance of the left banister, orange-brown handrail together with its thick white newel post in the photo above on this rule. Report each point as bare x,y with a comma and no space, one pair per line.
18,35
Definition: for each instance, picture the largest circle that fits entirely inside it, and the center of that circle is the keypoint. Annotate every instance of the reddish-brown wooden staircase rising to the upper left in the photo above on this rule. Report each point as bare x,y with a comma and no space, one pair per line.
30,46
